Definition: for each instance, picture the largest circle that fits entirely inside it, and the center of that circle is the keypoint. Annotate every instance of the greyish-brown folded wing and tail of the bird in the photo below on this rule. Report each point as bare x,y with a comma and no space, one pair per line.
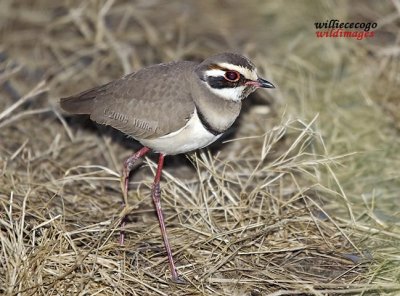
150,103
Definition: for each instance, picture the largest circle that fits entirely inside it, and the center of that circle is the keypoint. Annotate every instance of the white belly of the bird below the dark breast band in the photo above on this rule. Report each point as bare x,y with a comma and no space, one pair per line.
191,137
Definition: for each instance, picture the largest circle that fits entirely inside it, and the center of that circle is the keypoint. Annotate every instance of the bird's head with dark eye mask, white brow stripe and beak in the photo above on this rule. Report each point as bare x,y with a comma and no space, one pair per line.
230,76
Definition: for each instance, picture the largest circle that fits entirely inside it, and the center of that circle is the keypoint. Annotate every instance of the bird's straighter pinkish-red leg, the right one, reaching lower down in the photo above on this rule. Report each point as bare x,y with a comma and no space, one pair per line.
156,195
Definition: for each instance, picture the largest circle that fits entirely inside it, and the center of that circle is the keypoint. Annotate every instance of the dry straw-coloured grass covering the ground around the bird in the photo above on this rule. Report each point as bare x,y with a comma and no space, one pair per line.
301,200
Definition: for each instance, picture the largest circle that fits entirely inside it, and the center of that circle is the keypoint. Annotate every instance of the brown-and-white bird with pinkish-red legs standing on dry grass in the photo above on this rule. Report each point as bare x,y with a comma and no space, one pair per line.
171,108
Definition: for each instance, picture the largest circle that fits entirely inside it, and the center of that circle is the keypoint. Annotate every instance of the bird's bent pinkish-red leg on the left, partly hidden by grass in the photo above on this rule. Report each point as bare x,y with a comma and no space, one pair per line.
128,166
